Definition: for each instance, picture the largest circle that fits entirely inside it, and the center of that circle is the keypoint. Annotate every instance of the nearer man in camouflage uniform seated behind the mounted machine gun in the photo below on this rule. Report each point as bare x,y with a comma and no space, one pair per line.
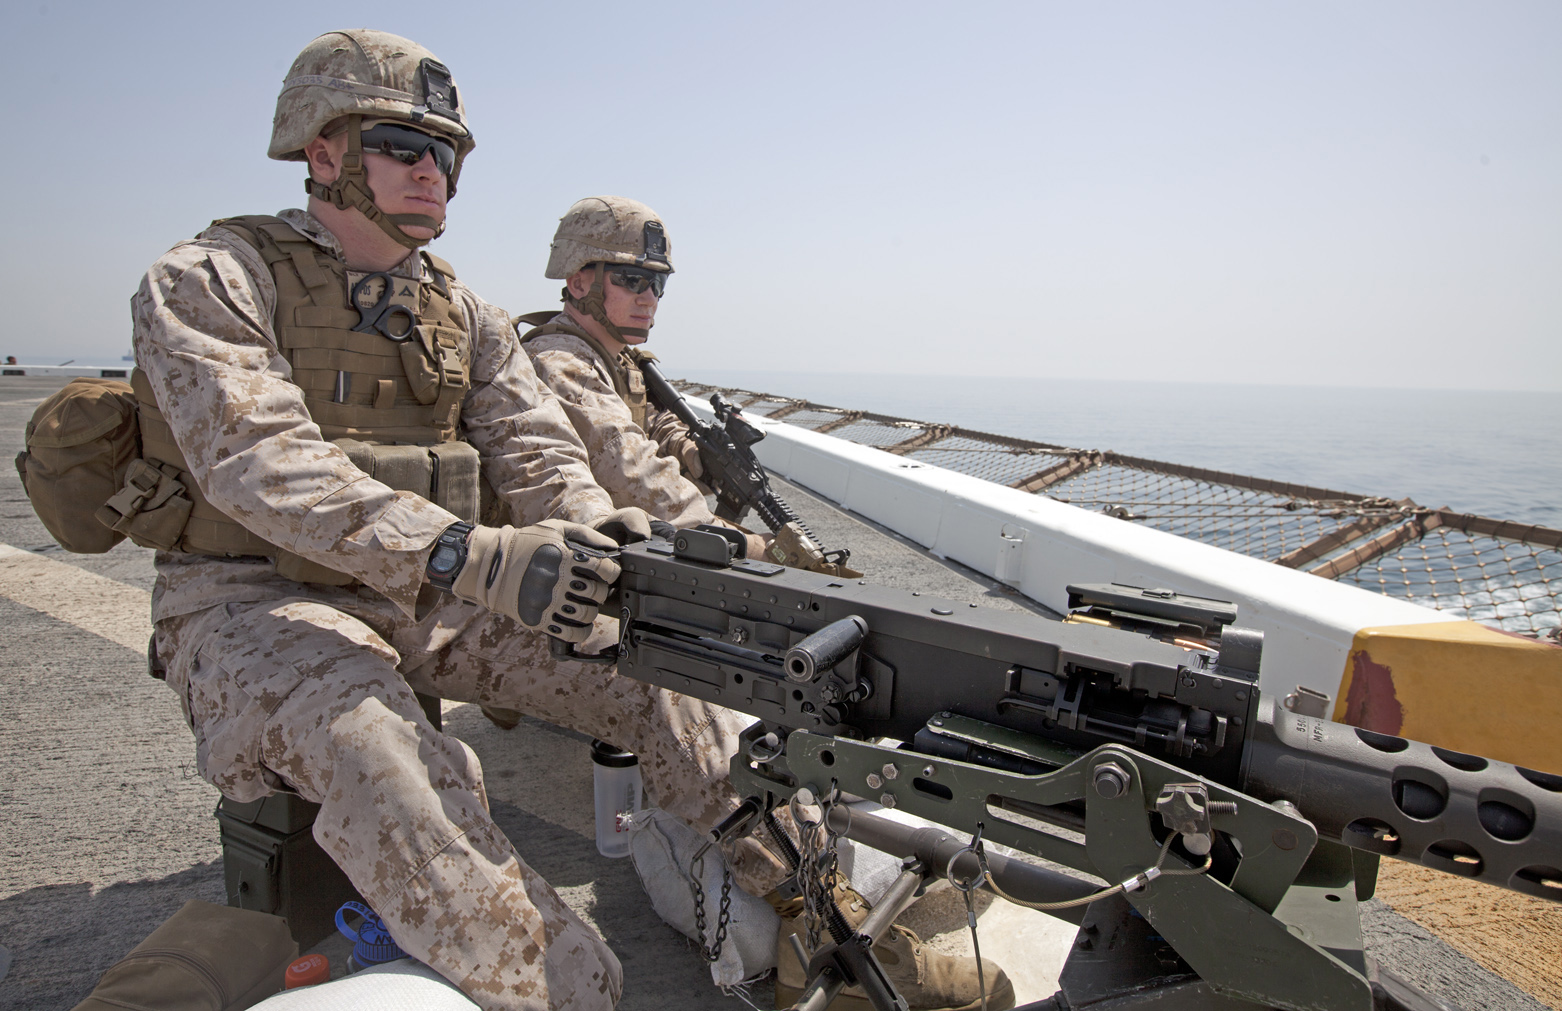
298,660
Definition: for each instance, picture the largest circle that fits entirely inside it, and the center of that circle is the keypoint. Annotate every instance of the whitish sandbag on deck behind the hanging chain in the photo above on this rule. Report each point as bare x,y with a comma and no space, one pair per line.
662,848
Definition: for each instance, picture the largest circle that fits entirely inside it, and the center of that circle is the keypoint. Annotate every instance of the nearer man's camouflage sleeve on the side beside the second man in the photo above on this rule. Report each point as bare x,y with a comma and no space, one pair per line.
530,452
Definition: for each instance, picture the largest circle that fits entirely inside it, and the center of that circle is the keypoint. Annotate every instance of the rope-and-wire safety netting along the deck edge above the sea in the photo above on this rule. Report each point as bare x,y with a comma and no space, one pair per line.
1507,576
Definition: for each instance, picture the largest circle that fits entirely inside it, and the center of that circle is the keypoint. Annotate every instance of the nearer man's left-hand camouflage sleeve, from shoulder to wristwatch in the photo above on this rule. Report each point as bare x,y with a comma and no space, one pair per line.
204,338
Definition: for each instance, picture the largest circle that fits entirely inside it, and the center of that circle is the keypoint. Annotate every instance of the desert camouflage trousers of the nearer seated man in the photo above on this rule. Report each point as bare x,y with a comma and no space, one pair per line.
318,698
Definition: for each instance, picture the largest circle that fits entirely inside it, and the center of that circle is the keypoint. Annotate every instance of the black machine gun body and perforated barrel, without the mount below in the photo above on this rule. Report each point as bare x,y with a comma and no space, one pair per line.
1043,695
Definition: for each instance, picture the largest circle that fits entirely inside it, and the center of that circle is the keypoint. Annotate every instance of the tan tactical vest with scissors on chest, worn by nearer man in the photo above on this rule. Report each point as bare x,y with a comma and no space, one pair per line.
394,405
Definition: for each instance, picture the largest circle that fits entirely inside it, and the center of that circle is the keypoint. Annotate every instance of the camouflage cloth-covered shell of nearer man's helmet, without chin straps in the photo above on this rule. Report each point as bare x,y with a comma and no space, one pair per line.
371,74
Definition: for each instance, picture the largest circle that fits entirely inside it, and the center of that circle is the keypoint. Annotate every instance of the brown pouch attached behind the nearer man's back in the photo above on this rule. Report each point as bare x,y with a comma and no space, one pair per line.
85,477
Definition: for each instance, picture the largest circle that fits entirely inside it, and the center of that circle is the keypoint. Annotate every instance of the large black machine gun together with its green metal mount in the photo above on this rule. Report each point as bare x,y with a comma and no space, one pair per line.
1244,835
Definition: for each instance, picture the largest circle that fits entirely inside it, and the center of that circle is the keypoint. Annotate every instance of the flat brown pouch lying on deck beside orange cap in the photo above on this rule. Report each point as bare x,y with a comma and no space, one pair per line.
202,959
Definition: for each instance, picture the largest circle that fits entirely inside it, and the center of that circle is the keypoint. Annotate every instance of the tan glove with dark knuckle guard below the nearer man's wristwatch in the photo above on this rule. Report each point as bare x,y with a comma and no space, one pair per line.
552,577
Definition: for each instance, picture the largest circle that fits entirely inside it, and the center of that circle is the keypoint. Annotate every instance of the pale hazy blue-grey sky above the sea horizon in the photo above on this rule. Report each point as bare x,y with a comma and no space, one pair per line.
1258,193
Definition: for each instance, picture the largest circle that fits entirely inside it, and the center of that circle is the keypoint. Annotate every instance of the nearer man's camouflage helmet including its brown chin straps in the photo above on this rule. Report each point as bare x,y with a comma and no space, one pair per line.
368,76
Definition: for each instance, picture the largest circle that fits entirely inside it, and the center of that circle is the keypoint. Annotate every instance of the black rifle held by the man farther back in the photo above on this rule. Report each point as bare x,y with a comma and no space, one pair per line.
732,470
